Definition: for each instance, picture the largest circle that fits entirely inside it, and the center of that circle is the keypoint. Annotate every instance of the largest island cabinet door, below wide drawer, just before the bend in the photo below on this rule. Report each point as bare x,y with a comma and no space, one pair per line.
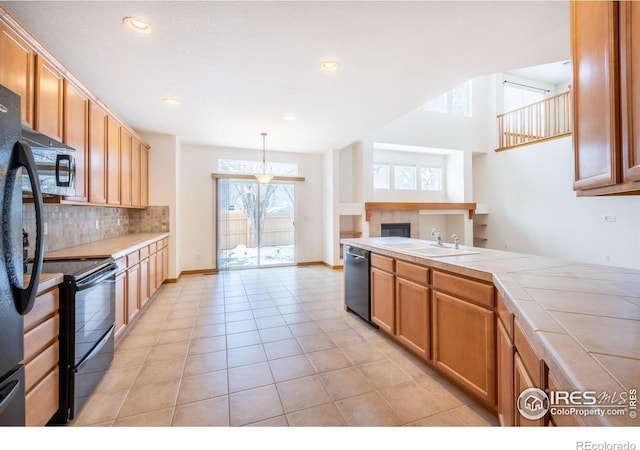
464,344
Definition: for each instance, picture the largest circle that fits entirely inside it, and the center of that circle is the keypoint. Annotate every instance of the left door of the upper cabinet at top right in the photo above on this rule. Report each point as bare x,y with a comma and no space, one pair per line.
594,31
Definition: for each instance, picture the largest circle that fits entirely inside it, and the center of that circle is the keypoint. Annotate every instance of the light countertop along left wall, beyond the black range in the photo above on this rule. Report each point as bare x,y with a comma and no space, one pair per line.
114,247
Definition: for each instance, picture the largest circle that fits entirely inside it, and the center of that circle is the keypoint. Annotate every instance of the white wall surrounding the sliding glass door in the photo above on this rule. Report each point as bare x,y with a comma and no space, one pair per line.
198,202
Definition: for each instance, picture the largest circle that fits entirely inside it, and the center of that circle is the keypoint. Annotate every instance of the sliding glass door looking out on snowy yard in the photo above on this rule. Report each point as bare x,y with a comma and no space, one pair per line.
255,223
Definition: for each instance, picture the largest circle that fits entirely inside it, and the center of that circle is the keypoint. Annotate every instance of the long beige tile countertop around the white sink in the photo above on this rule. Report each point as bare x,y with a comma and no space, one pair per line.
583,319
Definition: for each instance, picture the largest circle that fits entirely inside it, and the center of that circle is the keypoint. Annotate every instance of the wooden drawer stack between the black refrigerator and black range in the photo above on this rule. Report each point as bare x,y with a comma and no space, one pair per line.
41,358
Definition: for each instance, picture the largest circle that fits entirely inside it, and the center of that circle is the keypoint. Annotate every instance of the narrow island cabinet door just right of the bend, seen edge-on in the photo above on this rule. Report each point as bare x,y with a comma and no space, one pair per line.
504,357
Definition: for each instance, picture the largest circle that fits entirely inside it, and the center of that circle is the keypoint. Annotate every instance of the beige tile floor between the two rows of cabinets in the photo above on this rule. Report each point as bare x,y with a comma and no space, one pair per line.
268,347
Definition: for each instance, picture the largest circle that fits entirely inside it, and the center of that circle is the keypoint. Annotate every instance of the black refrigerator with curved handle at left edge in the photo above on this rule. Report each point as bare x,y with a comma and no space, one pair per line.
15,299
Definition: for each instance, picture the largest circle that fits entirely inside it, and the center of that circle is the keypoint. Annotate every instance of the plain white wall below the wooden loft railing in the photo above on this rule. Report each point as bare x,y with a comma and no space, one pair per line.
533,208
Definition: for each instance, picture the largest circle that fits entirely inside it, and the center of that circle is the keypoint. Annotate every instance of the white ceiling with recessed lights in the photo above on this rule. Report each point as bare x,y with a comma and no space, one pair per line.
239,67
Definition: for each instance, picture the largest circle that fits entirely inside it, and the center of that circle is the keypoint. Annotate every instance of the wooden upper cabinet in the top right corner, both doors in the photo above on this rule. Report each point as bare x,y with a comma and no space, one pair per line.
605,106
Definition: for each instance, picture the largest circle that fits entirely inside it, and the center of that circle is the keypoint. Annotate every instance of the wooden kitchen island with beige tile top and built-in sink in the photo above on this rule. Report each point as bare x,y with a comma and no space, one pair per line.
560,326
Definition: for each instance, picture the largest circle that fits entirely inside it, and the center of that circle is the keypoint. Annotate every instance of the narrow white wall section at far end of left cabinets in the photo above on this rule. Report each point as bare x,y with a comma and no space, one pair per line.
164,189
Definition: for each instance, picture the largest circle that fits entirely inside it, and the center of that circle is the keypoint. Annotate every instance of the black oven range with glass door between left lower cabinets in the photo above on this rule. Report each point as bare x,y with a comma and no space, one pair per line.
87,324
